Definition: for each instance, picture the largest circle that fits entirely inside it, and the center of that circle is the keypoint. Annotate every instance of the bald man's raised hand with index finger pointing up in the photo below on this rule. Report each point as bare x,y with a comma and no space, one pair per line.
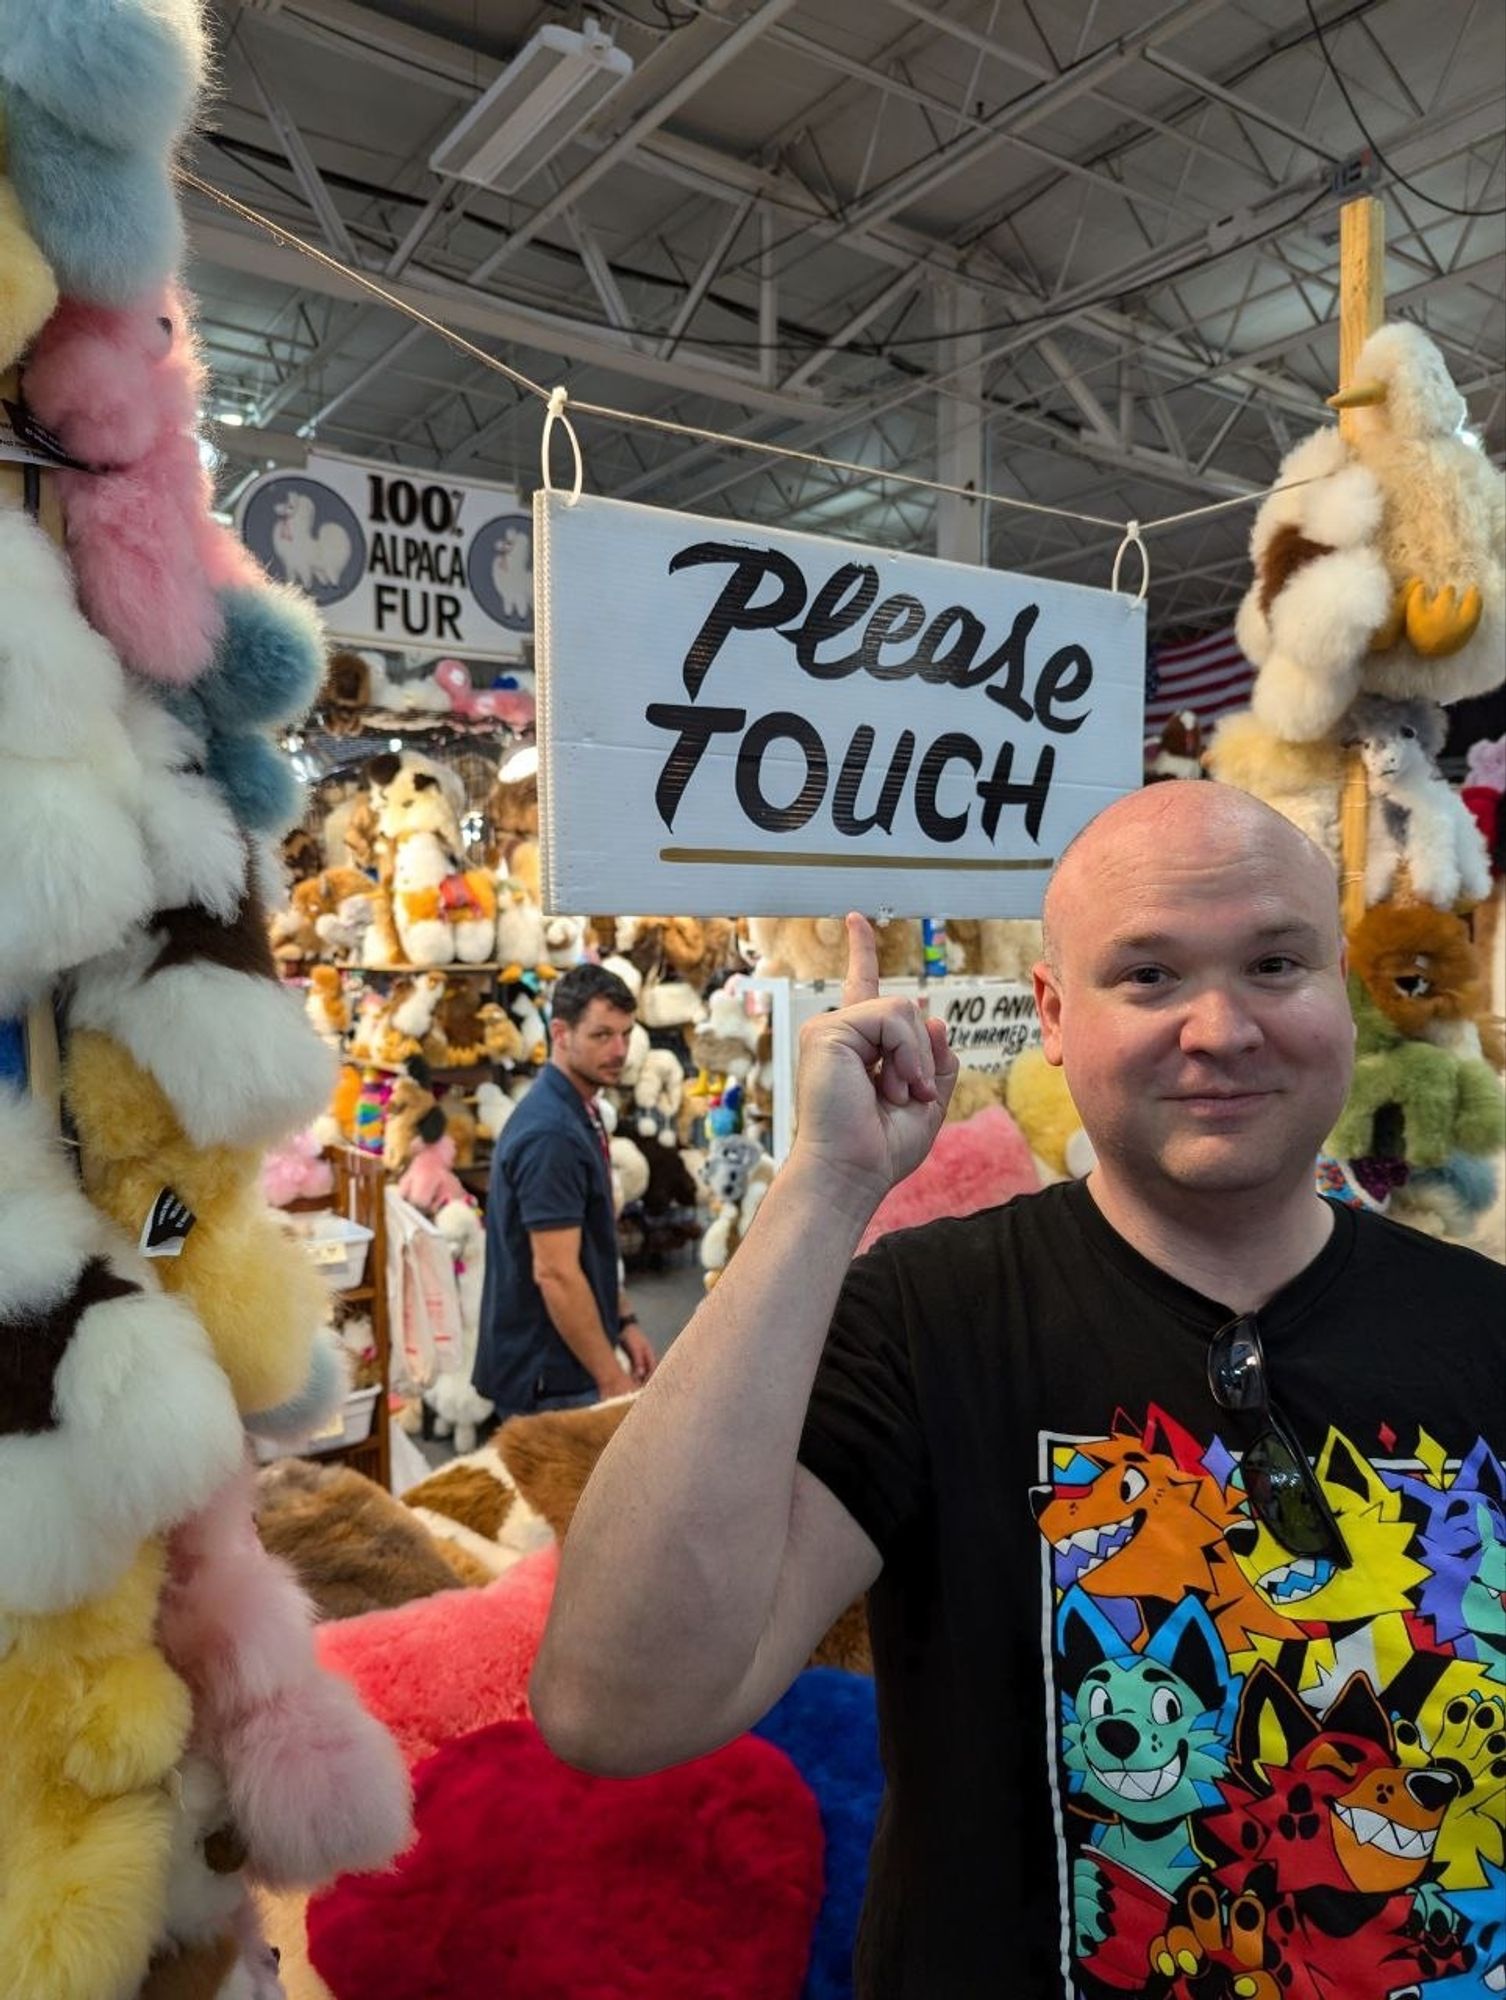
875,1083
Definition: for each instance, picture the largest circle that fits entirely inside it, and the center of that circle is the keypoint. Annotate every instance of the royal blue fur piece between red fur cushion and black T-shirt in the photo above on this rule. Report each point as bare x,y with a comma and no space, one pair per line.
829,1729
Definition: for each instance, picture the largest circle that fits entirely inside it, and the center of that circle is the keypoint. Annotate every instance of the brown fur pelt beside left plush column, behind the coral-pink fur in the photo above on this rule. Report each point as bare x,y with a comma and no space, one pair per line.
353,1547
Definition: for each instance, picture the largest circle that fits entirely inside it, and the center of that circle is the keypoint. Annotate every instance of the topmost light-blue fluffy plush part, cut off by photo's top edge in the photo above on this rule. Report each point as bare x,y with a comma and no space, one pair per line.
127,73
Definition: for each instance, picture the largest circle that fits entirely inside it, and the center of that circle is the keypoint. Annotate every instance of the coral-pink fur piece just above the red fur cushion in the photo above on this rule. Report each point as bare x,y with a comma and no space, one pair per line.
447,1665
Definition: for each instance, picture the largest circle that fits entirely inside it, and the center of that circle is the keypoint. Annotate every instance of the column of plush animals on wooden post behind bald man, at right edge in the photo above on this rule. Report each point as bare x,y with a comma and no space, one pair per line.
1379,595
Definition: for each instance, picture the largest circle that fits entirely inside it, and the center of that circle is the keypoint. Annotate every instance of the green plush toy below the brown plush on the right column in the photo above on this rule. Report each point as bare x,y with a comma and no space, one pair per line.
1447,1103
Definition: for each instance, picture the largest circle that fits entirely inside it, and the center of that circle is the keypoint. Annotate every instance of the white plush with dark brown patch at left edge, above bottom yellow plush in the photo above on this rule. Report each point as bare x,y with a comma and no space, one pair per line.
115,1417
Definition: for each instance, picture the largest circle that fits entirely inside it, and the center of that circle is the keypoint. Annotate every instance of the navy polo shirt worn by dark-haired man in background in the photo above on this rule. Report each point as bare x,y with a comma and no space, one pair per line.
547,1175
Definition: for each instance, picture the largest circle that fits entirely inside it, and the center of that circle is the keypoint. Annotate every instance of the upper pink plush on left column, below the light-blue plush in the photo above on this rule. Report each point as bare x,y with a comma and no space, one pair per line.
121,389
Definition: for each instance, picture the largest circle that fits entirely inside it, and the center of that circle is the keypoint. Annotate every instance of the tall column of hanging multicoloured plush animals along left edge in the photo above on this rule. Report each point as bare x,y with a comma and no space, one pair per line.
171,1739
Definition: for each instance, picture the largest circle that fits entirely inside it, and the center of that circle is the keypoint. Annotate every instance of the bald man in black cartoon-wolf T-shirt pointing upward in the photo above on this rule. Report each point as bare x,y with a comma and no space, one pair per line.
1127,1469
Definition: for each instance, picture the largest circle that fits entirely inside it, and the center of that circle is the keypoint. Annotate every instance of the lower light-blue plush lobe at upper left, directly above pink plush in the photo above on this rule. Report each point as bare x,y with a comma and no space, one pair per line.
105,221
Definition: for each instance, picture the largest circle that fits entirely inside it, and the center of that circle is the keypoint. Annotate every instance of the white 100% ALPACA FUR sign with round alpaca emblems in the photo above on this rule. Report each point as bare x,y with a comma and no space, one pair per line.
411,561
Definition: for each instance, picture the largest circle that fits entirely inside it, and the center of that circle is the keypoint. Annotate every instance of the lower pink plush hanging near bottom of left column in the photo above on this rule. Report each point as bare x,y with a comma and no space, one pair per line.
317,1787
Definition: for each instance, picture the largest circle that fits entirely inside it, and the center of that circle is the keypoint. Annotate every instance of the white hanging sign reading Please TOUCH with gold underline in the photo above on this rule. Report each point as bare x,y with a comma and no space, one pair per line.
777,725
